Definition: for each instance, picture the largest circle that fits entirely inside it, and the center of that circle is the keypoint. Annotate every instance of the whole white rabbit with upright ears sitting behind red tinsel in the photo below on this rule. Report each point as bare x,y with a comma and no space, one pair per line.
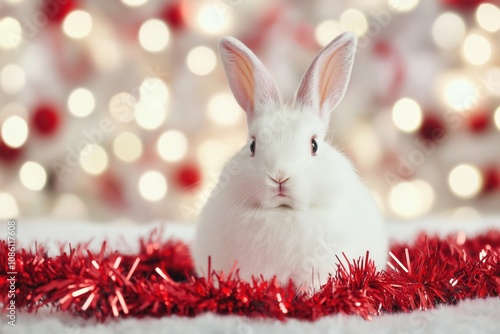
288,202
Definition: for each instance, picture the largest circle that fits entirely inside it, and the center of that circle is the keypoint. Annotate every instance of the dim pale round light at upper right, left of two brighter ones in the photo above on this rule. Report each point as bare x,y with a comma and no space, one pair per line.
448,31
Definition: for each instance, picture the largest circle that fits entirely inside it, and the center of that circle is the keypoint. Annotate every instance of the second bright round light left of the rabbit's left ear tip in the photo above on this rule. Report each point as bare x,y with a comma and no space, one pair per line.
154,35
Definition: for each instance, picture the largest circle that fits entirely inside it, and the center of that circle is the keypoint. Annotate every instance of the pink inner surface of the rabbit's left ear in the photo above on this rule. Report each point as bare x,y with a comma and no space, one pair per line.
243,74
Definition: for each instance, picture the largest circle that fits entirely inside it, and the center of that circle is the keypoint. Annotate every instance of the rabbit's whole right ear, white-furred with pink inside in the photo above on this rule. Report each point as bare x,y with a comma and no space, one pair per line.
325,81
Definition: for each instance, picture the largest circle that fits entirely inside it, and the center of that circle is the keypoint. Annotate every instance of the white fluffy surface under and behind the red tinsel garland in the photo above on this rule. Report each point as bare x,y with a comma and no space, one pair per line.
472,316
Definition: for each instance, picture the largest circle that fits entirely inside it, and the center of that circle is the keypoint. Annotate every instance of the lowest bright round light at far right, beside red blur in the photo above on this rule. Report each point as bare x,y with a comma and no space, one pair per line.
465,181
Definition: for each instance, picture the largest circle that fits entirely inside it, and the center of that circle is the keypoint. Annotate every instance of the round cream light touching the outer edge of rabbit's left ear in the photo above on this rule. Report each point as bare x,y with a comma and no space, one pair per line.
223,109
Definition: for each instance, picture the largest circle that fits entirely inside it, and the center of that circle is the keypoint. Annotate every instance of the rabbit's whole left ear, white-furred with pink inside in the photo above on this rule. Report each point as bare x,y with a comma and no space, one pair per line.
250,82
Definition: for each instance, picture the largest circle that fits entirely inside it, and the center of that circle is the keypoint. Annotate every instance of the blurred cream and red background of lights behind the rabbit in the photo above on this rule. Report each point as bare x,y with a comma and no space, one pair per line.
120,109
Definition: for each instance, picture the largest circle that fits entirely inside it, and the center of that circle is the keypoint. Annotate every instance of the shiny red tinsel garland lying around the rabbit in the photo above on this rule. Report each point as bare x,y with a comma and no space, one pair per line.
160,281
